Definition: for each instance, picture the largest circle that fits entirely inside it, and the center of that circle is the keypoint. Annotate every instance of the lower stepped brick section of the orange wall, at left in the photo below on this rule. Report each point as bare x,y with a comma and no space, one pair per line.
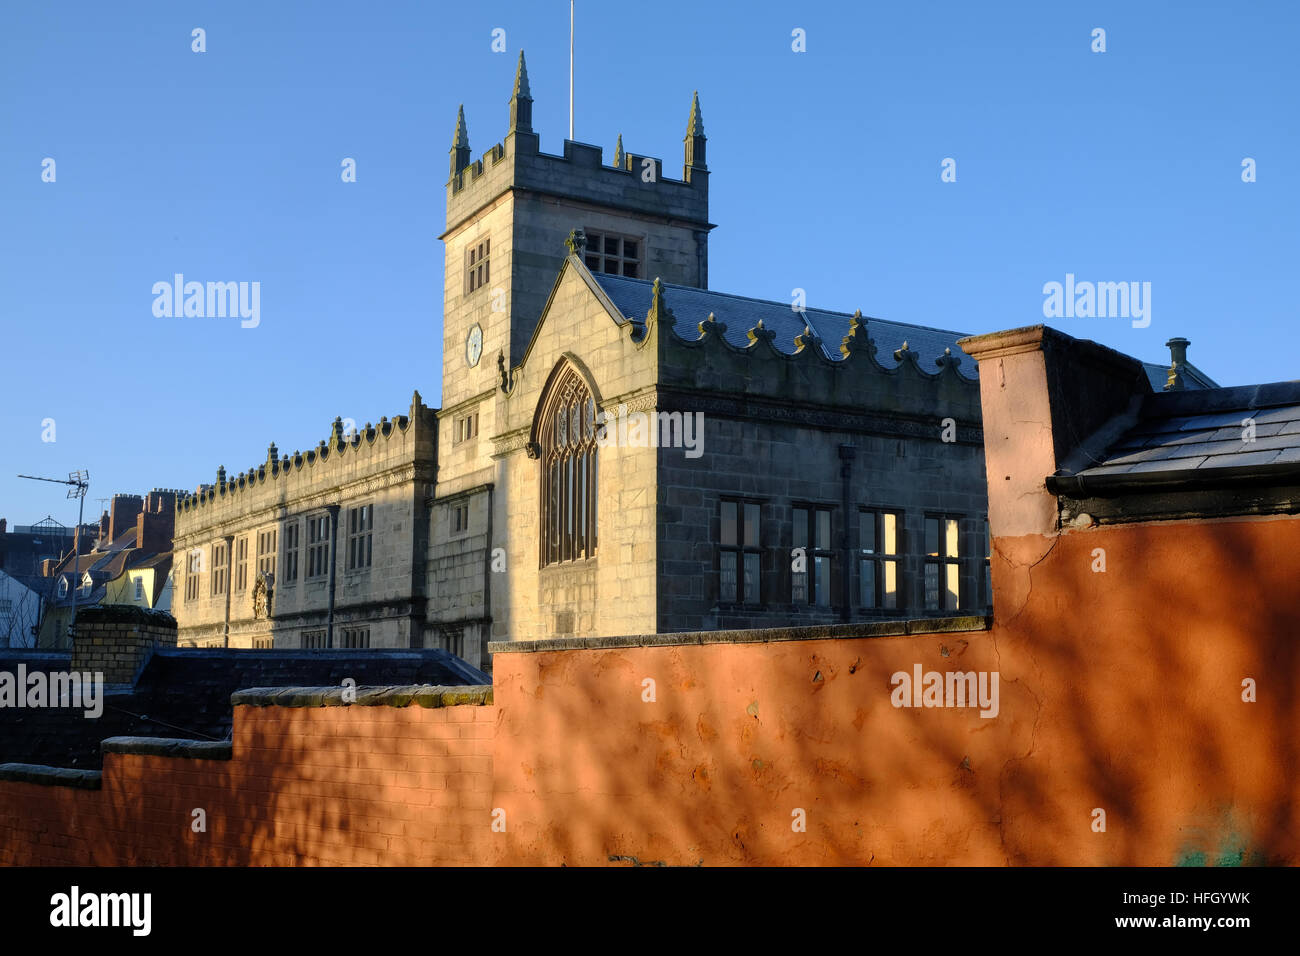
357,786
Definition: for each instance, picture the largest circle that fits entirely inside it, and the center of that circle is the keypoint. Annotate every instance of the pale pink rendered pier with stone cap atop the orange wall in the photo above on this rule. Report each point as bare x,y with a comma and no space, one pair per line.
1043,395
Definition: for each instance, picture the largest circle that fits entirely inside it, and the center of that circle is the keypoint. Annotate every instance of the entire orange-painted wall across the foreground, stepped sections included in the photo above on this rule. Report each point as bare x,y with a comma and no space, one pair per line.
1119,690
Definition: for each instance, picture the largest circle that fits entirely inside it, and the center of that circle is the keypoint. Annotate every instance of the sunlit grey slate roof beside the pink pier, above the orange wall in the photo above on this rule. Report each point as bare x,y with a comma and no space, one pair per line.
1199,439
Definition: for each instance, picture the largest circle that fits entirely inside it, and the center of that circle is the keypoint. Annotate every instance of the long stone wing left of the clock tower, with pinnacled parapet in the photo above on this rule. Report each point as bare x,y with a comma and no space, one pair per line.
318,550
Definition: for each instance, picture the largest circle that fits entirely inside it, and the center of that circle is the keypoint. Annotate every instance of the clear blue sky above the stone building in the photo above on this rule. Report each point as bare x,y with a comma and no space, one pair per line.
224,166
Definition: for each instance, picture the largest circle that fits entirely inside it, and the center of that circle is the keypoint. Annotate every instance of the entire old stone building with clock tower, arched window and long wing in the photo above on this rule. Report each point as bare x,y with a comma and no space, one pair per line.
619,449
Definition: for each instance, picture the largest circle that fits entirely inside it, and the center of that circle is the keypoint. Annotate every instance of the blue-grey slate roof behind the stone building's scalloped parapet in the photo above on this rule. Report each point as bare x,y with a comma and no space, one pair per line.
740,314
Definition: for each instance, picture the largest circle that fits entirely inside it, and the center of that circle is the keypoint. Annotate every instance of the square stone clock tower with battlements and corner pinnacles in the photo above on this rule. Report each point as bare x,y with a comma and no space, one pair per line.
509,215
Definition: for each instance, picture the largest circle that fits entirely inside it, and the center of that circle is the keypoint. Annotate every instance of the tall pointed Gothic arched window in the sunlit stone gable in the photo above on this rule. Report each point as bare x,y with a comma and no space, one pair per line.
570,471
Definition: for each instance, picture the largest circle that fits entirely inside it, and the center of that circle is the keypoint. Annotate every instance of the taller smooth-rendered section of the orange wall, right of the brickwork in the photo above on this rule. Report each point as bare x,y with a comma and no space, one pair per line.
1120,690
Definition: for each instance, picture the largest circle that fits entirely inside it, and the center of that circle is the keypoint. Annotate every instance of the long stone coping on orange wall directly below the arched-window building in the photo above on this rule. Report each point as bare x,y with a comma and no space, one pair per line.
761,635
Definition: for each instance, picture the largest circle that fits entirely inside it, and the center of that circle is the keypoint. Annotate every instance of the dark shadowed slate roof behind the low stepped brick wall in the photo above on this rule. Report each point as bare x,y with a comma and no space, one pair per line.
187,693
